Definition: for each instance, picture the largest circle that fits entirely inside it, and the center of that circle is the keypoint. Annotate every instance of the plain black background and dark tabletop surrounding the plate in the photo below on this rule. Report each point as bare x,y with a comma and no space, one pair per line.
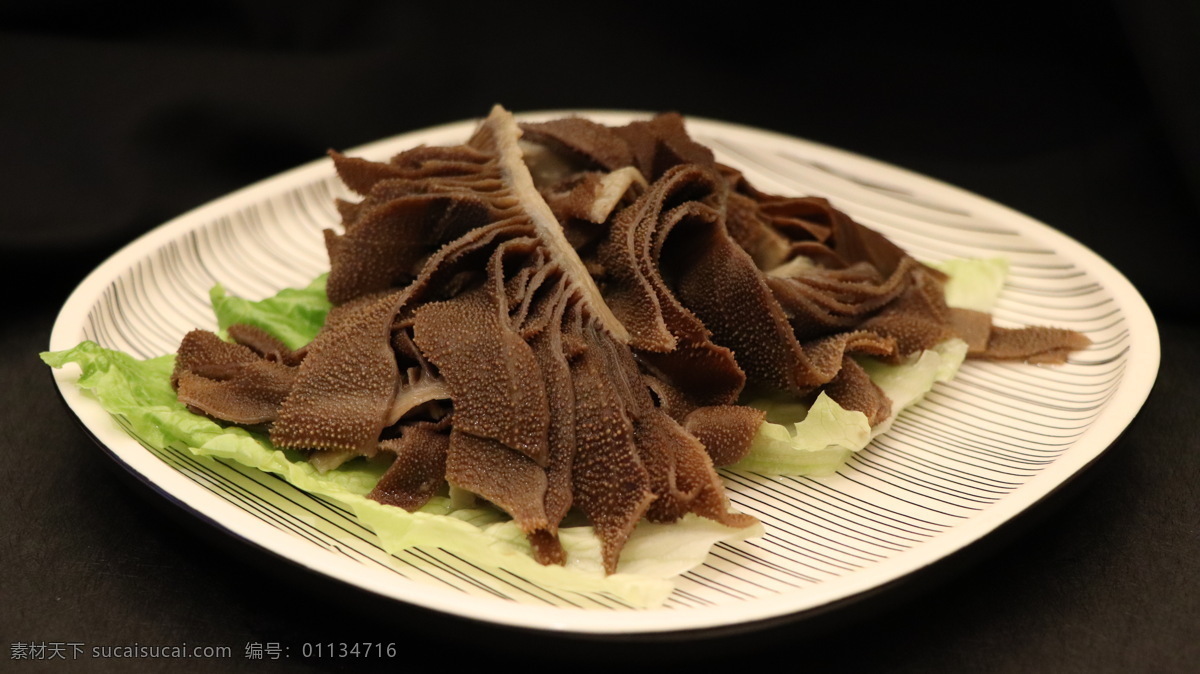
1084,116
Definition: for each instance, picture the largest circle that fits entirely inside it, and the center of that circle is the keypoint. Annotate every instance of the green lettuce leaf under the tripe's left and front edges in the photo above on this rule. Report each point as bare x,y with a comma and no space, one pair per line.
141,394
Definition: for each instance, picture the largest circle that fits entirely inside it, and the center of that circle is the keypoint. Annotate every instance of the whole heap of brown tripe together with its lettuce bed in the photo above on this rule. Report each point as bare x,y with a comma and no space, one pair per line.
562,318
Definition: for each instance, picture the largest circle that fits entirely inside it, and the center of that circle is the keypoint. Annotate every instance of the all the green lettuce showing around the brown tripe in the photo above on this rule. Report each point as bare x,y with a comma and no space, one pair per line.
795,440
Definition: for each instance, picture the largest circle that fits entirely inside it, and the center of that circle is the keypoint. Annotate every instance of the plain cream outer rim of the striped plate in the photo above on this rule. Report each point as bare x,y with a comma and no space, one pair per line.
1142,370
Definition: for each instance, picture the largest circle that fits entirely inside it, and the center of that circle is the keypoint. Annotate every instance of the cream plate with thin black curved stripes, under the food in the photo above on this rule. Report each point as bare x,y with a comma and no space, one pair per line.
974,455
